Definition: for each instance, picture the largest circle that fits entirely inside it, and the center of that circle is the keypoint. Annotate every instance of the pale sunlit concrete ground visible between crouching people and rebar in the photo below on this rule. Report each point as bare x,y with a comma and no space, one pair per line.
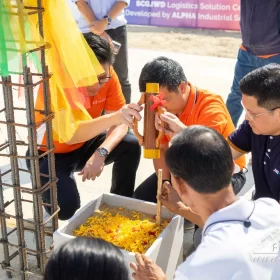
213,73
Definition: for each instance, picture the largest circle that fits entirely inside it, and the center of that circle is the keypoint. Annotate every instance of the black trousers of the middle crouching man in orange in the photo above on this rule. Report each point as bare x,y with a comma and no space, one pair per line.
148,189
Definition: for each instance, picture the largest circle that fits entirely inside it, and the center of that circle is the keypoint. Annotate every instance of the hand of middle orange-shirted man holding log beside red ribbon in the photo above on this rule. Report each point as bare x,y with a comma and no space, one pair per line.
174,125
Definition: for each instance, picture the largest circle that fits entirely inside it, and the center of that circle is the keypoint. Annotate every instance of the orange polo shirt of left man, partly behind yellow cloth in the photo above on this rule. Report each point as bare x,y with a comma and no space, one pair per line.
108,98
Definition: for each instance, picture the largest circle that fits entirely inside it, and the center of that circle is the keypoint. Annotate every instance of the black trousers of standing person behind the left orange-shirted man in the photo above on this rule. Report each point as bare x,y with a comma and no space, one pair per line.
121,60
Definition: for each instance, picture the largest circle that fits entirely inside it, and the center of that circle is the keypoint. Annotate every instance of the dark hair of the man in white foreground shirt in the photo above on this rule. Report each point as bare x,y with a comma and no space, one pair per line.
202,158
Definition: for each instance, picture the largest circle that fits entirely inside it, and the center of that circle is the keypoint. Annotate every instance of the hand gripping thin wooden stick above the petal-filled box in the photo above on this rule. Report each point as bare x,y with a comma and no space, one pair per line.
170,199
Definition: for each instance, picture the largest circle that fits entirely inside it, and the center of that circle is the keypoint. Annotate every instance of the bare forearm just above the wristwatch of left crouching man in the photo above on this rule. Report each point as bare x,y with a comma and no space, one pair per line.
114,136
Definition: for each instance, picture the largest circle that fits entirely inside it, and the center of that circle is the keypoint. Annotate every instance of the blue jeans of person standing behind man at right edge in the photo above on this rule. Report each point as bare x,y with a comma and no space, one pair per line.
245,64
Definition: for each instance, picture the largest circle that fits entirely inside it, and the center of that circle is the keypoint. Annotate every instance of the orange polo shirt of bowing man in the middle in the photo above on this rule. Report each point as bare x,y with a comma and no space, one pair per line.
208,109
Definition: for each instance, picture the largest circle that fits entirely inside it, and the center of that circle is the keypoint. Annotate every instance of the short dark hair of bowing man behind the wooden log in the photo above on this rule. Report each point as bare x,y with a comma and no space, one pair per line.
164,71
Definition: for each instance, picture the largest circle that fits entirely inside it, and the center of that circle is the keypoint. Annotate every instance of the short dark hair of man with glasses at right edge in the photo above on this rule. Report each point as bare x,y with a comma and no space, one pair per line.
263,84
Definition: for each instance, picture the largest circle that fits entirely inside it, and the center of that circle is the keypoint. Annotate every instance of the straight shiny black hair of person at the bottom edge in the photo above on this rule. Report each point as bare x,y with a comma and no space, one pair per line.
86,259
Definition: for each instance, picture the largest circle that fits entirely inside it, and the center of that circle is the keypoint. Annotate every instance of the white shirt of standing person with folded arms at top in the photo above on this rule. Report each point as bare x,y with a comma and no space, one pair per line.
100,9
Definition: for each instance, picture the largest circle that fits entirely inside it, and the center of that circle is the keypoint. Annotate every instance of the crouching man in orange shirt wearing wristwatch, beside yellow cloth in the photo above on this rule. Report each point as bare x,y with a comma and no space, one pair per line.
92,147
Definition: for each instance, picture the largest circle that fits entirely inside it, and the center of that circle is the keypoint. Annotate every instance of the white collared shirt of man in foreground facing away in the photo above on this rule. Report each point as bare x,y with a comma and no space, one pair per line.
230,251
